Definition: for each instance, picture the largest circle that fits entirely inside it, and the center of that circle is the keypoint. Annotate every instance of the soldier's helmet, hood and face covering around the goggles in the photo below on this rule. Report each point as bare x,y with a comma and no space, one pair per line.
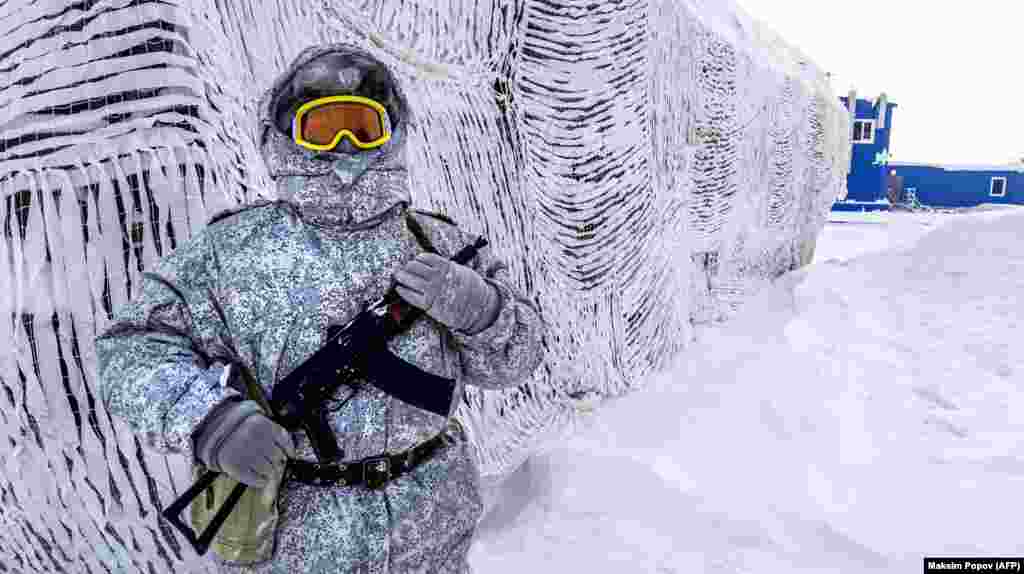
346,189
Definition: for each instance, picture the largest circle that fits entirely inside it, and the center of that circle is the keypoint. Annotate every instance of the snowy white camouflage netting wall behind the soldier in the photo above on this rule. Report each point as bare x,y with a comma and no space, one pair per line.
644,165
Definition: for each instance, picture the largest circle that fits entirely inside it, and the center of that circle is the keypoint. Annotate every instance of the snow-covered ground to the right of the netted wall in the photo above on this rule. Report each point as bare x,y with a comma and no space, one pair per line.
864,413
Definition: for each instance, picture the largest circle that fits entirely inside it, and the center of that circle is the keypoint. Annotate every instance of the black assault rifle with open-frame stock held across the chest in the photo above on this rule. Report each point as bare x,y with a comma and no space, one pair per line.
356,351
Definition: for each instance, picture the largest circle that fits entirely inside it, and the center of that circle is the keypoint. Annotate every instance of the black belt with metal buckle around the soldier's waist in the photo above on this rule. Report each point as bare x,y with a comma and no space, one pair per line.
374,472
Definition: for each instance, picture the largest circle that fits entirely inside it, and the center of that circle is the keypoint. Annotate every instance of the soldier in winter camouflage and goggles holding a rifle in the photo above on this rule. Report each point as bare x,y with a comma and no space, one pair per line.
259,290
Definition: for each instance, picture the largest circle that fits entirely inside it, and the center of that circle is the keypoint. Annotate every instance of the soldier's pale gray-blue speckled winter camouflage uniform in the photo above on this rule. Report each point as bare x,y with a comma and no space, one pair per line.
282,274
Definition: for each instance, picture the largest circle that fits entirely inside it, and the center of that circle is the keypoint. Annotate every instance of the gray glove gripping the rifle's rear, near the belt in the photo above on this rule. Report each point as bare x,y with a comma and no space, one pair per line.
239,440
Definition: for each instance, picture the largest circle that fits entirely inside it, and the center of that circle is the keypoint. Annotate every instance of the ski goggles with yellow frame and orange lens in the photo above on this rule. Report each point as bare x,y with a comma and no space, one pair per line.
321,124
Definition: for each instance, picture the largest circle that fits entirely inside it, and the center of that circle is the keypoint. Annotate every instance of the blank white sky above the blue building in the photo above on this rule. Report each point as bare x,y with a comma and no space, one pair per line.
956,69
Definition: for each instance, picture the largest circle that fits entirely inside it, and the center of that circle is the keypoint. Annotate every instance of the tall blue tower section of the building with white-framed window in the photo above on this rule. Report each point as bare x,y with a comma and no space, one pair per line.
868,184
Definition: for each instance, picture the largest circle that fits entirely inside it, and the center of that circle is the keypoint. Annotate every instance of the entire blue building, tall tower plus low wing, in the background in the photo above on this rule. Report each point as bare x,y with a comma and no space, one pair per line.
877,185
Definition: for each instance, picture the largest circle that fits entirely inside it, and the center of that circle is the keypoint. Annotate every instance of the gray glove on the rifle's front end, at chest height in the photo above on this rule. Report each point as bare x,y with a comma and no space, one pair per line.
454,295
